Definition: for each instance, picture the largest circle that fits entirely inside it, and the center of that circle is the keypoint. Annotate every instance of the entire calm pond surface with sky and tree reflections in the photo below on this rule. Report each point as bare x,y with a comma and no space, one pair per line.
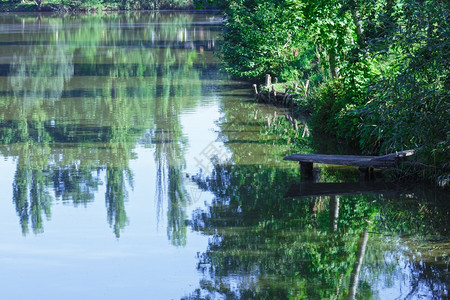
131,168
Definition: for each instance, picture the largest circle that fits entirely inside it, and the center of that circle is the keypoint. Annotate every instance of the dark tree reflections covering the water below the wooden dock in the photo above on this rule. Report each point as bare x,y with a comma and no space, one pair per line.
273,238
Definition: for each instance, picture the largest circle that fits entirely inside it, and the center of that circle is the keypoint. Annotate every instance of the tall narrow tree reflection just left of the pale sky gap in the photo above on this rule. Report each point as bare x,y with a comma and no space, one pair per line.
169,147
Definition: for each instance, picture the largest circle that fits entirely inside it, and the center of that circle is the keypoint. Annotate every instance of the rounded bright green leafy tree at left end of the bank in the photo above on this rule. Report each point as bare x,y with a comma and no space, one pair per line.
261,37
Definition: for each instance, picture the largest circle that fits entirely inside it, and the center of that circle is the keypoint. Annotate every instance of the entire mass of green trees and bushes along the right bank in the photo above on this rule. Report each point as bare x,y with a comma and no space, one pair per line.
377,70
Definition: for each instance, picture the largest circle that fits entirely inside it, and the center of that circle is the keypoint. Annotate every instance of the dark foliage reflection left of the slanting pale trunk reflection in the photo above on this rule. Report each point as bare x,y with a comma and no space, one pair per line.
286,244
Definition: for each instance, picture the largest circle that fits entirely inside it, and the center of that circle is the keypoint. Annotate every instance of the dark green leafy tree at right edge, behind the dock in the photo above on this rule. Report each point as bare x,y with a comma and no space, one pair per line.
410,101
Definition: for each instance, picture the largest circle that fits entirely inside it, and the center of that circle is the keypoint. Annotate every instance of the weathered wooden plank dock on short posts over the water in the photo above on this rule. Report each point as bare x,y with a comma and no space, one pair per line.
365,163
